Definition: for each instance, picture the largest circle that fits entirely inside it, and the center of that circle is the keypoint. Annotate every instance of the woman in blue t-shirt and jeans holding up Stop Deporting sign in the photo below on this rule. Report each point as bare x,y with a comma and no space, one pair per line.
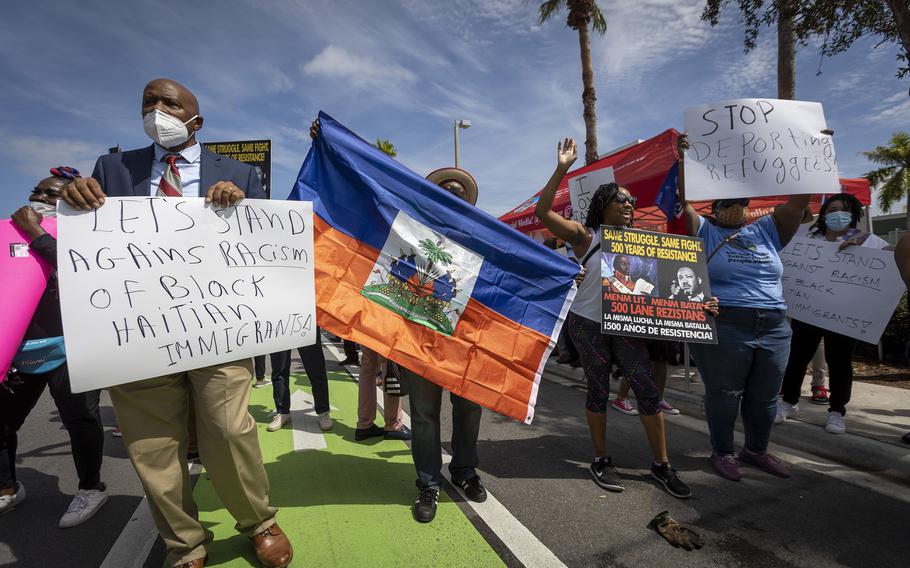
744,371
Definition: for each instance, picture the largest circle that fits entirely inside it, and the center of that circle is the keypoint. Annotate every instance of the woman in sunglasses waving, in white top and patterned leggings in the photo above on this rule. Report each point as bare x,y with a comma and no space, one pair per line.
610,205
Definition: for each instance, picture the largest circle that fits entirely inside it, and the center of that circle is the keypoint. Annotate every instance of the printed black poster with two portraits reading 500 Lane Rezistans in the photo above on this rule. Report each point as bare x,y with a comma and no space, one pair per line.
654,285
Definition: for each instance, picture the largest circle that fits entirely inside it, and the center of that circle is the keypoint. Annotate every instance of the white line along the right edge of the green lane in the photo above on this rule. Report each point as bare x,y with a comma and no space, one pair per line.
517,538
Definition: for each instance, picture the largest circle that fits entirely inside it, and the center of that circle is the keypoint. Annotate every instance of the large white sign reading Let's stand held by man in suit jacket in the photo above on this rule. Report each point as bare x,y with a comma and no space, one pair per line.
151,286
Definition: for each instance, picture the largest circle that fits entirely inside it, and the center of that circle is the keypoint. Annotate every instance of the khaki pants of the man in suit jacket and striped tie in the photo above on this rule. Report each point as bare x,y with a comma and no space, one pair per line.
153,417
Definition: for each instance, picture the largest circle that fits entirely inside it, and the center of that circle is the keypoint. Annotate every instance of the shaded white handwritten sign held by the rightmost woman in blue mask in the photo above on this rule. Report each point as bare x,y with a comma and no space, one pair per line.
852,292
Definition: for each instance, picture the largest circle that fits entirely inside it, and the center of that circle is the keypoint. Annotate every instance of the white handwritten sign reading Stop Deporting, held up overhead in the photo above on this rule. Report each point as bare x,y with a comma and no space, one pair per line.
758,147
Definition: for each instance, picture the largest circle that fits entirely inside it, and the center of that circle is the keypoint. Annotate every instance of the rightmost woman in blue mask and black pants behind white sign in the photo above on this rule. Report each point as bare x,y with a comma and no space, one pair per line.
836,222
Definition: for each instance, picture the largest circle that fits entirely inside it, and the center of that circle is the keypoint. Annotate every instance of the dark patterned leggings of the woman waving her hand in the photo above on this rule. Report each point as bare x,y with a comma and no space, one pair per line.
599,351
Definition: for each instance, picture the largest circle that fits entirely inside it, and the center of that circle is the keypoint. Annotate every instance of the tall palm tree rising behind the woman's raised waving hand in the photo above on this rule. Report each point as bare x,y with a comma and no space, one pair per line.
581,13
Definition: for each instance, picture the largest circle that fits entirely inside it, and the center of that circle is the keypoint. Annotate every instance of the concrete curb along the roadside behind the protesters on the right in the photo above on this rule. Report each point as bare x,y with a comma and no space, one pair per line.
862,453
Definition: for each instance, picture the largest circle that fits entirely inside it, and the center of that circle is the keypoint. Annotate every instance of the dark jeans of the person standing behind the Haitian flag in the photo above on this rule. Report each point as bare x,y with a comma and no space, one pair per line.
426,445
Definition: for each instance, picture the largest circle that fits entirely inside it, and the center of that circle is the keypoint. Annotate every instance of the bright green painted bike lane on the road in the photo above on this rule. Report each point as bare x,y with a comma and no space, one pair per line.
346,505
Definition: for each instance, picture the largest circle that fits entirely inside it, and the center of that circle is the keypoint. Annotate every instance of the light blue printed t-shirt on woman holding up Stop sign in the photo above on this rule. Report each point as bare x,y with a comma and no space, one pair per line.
746,271
